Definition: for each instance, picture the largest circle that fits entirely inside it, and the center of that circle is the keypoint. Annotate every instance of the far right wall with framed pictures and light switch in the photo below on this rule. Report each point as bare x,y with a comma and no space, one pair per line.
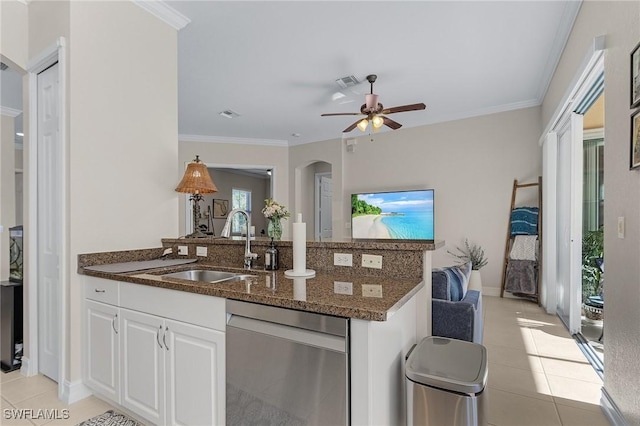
620,23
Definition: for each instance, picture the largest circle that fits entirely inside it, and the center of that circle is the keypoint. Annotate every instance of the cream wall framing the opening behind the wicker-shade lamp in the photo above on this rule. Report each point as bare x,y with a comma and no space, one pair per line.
235,154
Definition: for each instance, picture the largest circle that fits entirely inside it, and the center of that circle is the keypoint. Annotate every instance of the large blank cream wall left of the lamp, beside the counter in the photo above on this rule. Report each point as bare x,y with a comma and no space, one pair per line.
121,133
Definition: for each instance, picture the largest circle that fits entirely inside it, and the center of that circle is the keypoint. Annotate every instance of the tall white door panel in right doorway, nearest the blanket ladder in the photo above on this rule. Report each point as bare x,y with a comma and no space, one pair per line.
569,221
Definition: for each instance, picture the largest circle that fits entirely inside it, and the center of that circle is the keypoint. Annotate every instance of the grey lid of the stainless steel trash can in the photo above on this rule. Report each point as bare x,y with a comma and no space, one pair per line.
448,364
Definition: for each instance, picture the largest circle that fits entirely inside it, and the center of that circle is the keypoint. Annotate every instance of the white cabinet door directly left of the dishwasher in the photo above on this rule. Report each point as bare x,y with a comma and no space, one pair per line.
195,373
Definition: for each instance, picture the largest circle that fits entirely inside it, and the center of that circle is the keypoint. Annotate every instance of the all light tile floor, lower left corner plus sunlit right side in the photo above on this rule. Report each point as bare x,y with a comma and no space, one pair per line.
537,375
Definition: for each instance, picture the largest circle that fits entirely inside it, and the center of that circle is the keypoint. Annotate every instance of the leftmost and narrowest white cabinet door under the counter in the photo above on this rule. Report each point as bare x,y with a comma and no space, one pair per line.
103,350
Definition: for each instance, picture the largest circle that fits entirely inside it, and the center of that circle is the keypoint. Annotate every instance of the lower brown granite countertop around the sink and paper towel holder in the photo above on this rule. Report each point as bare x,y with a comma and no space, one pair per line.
371,298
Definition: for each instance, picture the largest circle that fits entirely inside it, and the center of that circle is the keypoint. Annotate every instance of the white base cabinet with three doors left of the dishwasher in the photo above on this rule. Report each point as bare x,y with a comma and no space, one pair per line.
159,353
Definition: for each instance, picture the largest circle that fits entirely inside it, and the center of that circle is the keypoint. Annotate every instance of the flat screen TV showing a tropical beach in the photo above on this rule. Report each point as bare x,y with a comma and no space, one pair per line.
393,215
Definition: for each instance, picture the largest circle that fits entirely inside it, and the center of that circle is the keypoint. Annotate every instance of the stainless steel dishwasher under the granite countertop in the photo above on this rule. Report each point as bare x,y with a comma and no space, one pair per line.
286,367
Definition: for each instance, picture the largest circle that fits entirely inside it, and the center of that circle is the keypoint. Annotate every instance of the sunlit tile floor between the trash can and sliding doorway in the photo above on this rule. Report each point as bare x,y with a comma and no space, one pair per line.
537,373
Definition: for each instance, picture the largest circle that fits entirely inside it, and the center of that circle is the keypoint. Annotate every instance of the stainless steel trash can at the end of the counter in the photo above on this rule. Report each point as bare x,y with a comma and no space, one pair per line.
446,379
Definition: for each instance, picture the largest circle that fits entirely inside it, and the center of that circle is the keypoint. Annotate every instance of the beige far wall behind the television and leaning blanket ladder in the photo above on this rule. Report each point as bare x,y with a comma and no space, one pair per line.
470,163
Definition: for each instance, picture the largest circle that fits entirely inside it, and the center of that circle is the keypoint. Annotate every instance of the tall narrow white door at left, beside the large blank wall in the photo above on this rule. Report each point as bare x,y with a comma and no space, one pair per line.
49,222
